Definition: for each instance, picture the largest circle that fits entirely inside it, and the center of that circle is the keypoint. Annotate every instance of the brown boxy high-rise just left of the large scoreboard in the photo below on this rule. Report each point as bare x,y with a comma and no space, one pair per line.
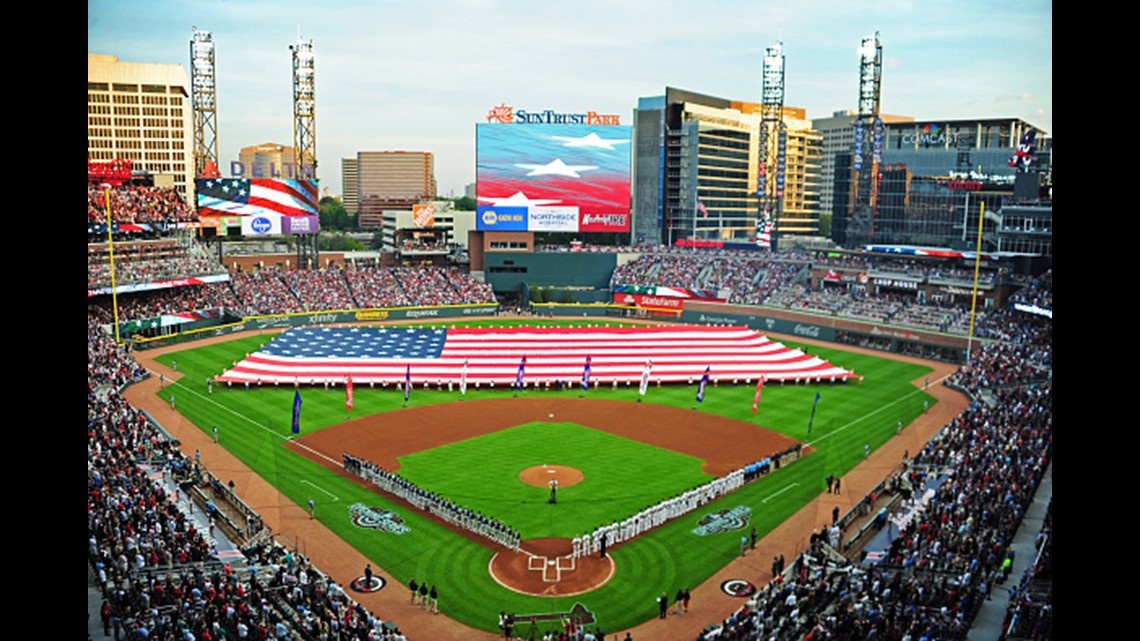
390,181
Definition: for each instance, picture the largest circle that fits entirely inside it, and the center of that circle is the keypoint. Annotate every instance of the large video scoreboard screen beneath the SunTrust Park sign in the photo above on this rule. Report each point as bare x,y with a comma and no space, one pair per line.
567,177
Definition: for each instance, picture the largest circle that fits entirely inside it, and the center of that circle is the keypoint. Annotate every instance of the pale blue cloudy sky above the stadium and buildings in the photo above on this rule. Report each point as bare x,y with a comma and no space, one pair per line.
420,75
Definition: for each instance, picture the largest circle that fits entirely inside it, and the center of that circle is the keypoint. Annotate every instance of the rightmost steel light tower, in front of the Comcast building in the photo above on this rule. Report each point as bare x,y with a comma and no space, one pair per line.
868,153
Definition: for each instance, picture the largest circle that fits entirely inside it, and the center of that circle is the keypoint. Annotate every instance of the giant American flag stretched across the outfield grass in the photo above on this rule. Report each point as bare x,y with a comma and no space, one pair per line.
380,355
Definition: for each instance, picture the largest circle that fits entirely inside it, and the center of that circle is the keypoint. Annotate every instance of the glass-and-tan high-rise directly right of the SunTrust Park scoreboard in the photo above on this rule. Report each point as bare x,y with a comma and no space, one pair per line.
695,169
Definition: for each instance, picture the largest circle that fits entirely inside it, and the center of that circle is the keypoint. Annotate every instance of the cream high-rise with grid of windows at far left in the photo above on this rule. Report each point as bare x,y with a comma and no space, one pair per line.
142,112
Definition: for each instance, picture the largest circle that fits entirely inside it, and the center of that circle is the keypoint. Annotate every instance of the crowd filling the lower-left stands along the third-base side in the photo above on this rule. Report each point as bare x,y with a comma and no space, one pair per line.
159,572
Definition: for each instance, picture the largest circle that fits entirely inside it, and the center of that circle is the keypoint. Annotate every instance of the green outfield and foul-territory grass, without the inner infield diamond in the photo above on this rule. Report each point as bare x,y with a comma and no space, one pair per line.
255,424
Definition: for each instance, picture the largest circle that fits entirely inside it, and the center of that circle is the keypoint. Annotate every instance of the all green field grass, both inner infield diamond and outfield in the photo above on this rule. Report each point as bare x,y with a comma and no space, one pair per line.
255,425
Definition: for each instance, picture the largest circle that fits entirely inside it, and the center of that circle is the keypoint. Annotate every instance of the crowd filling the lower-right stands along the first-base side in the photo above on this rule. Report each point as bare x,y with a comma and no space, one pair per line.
982,472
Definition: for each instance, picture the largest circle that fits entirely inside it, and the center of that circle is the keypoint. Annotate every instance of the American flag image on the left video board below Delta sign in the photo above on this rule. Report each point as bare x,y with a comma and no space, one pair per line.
257,197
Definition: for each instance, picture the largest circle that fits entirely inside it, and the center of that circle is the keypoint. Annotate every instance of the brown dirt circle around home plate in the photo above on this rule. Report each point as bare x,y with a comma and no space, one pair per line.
547,570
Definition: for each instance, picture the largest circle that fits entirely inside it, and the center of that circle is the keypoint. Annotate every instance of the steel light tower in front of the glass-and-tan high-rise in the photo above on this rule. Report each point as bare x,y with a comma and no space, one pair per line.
773,142
